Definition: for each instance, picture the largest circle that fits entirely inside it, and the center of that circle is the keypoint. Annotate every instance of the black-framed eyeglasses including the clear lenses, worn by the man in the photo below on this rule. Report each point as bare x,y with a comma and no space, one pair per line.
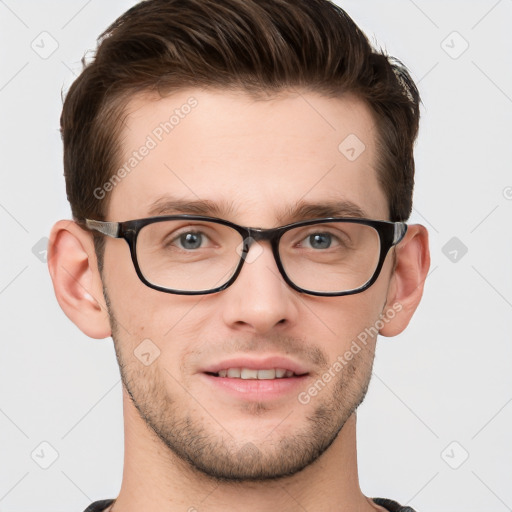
196,255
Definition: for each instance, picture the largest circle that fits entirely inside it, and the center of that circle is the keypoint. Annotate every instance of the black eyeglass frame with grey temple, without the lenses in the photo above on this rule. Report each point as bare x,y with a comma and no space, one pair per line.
390,234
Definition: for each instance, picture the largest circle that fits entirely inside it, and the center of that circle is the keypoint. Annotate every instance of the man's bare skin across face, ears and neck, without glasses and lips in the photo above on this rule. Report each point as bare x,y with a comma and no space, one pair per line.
187,444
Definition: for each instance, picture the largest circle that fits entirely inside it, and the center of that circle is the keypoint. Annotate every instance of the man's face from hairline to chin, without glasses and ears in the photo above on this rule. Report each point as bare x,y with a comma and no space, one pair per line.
260,158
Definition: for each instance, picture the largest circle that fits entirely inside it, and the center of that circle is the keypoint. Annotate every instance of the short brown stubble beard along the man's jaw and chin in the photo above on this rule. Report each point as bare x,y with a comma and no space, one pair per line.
209,450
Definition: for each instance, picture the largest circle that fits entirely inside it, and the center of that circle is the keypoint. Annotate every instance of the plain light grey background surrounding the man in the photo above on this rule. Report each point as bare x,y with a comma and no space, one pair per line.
441,392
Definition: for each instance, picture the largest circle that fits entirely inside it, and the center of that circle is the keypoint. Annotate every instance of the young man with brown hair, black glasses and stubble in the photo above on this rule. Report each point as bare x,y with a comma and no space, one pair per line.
240,173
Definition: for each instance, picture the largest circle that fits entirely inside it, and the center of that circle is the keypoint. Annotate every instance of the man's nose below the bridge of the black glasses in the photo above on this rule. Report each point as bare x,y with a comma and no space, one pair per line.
259,300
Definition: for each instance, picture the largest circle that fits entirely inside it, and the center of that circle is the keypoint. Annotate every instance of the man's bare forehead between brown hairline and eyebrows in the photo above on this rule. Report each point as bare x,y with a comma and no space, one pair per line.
255,157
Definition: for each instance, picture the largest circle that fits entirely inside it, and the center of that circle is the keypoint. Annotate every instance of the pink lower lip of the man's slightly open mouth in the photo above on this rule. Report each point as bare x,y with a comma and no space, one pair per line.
257,389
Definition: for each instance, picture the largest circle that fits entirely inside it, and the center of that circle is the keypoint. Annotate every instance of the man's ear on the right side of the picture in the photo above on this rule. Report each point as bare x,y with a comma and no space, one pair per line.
406,286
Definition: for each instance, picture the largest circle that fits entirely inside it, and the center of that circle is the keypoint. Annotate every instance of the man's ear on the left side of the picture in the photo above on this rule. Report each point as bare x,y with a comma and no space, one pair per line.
76,279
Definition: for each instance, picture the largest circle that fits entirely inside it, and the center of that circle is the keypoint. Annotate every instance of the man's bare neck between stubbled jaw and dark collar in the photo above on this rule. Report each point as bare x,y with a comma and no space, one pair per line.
155,479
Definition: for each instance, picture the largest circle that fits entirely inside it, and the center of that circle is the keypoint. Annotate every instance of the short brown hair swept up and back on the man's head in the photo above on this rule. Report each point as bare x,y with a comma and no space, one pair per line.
257,46
